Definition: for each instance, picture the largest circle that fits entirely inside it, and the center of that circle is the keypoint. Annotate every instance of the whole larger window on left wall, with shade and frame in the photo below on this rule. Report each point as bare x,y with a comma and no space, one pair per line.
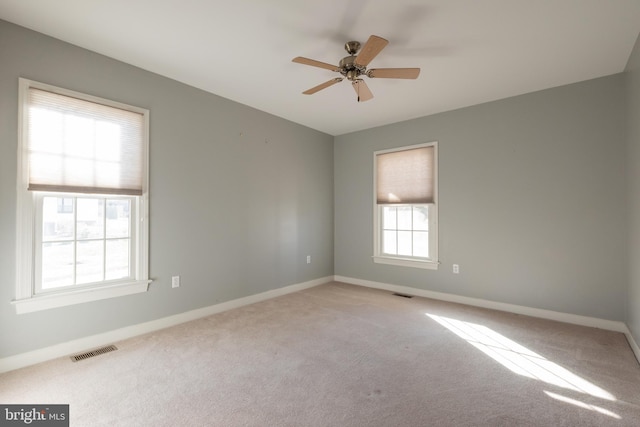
82,198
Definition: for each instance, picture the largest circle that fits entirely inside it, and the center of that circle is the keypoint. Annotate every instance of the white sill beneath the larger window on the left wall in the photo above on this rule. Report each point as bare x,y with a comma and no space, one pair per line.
45,302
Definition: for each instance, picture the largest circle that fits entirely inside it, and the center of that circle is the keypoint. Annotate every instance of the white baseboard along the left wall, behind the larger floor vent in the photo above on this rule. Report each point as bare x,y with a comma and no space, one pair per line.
82,344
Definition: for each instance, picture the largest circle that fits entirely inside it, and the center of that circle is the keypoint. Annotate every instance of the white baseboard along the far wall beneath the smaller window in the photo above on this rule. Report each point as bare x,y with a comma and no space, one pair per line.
575,319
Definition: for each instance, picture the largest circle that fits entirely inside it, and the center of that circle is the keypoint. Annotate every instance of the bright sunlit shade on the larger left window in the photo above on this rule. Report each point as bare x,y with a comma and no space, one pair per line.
80,146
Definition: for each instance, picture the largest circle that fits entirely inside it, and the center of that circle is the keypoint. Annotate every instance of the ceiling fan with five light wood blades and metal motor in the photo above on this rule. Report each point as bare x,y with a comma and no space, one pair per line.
355,67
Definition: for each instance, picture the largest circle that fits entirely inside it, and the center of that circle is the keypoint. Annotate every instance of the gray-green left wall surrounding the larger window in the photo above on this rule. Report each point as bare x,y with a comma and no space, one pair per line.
233,215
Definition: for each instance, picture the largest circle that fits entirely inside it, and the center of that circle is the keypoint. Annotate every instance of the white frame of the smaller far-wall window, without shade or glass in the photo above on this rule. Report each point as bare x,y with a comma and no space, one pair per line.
430,263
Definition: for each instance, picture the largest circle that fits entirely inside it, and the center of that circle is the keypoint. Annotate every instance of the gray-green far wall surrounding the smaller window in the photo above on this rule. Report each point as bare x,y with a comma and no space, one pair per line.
532,200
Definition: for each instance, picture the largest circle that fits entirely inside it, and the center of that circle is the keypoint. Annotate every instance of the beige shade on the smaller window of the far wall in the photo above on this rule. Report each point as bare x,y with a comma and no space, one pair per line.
405,176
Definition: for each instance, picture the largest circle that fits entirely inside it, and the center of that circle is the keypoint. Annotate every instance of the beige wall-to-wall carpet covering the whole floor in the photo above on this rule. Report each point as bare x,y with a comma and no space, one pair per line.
342,355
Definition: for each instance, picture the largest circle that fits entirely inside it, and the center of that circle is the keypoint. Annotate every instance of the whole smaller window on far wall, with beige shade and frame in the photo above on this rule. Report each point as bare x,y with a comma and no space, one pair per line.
405,206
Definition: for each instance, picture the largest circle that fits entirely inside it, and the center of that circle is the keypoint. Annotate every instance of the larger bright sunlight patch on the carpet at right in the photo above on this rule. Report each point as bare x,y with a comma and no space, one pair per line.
518,358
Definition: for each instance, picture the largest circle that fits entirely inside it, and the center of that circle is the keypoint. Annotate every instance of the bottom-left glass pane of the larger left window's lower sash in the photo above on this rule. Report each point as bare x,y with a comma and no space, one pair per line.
57,264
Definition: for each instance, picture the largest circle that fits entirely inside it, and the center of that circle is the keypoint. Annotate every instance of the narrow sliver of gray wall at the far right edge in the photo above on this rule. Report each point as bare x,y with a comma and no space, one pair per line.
633,97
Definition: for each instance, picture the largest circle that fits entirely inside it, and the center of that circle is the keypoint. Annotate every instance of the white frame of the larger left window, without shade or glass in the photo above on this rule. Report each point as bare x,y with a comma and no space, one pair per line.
27,300
